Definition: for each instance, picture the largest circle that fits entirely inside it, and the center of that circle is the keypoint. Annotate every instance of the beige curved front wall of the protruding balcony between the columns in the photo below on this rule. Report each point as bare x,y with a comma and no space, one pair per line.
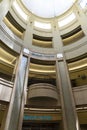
42,90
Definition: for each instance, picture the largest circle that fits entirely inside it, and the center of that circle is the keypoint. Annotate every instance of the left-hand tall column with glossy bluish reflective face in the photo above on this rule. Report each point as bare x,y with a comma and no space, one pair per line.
16,105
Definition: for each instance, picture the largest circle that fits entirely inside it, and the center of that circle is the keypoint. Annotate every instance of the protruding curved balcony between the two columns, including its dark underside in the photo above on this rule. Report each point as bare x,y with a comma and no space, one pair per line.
42,94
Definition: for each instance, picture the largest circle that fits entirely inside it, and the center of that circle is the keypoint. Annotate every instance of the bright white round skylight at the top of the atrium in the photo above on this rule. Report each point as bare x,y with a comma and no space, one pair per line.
48,8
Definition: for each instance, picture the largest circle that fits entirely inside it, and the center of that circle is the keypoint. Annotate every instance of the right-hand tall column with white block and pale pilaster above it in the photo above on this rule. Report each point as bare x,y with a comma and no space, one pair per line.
69,115
